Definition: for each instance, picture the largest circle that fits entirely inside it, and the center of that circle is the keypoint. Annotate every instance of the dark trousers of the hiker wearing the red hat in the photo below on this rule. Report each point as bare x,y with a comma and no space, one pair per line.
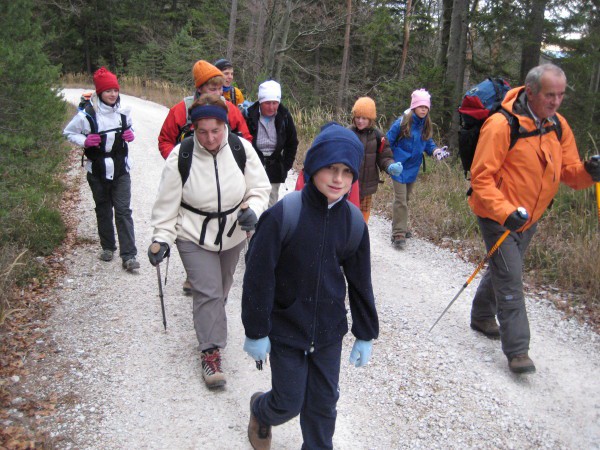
108,195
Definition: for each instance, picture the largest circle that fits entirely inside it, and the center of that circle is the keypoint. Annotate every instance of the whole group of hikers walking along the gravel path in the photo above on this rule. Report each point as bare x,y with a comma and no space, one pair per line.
219,188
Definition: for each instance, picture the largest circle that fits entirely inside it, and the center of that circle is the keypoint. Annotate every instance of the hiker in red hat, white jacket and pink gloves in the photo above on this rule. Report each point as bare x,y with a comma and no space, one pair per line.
103,129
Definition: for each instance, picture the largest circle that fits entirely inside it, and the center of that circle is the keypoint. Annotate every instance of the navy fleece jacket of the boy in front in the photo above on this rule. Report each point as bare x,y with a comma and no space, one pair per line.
295,294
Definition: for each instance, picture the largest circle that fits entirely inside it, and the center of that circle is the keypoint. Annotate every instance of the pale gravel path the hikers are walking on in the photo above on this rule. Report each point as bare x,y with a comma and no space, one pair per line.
122,382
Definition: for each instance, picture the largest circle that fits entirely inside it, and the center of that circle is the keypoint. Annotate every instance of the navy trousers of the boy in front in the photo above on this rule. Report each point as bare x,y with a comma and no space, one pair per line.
305,384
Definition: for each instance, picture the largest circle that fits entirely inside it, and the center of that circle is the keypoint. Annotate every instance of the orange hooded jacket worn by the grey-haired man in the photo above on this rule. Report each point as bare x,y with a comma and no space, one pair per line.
529,173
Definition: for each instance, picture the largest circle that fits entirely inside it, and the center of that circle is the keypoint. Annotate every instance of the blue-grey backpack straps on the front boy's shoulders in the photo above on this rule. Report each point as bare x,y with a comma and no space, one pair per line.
292,205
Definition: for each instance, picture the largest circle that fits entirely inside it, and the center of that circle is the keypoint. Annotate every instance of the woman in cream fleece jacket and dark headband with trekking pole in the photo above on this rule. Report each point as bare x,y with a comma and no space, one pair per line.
208,217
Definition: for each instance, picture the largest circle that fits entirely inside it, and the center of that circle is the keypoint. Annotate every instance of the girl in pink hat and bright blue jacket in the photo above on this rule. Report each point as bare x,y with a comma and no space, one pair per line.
410,136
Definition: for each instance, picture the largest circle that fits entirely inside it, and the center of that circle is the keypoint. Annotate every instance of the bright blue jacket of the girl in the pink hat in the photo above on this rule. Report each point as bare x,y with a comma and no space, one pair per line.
409,151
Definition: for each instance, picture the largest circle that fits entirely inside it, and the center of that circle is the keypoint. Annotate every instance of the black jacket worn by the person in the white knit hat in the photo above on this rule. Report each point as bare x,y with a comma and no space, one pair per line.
280,162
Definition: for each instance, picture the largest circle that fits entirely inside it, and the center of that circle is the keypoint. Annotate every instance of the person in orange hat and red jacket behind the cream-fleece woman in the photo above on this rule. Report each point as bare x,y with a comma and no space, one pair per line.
208,80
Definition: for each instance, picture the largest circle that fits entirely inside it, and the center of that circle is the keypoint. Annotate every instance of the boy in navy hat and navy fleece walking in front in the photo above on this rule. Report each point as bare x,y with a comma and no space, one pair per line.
293,304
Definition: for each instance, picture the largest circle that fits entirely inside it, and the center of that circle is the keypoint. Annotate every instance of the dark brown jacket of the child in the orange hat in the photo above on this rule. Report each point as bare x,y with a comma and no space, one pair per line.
373,161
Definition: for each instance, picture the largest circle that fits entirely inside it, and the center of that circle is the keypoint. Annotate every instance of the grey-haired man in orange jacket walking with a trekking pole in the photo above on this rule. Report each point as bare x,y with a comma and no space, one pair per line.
527,174
